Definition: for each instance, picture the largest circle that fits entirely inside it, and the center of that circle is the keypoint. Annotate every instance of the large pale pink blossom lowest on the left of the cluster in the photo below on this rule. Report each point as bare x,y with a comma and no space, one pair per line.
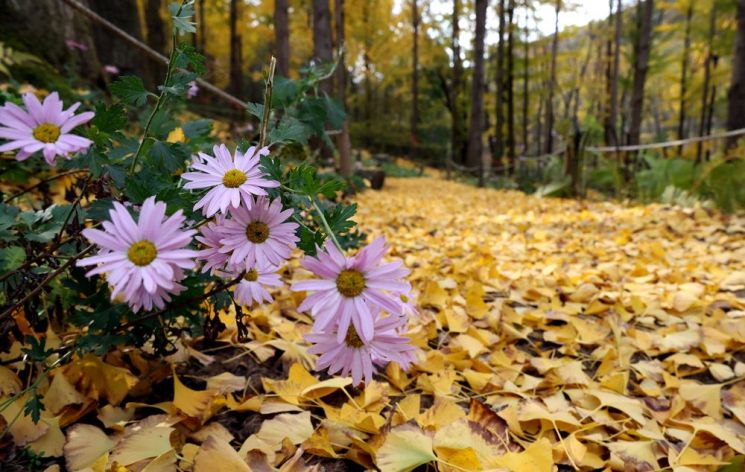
146,255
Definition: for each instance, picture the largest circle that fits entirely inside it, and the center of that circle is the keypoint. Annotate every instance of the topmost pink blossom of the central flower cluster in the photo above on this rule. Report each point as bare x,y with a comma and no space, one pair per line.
231,179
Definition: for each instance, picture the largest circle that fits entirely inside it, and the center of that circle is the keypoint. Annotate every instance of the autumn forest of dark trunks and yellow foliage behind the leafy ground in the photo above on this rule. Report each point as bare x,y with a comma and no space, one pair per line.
481,87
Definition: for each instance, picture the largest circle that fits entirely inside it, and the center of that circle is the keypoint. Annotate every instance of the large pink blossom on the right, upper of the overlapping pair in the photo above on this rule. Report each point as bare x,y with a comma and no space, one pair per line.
351,288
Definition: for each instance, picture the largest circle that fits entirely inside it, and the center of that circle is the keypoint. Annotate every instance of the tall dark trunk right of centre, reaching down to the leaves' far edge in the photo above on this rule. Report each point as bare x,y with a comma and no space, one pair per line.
475,144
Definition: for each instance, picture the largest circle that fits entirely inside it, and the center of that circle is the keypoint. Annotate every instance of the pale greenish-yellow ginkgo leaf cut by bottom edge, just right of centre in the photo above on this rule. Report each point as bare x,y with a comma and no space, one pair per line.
405,448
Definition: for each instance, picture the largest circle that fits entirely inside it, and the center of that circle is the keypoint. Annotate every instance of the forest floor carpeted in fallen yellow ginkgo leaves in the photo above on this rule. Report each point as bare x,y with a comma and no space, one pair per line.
552,331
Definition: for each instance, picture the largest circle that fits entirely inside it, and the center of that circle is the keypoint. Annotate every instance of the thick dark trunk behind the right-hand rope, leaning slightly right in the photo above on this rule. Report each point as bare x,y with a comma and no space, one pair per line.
641,66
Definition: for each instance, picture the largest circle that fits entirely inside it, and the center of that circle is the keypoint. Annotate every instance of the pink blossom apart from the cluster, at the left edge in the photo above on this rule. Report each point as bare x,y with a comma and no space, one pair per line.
42,127
